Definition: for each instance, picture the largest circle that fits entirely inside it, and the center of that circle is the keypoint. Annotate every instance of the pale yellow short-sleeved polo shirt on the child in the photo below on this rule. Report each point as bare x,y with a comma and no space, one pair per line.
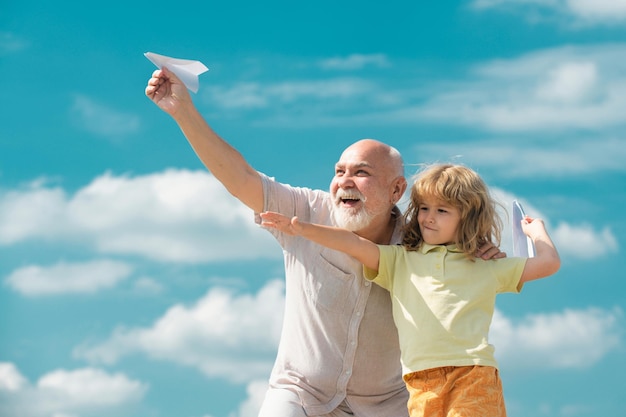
443,303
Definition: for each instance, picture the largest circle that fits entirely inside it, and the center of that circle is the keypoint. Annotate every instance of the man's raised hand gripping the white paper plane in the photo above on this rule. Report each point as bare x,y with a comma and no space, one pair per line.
167,91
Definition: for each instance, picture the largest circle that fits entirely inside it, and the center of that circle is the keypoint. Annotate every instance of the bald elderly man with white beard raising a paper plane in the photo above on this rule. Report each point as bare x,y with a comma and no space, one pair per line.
338,354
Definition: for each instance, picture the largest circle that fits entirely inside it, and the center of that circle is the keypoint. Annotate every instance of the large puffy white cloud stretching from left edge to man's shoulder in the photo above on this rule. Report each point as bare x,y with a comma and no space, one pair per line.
172,216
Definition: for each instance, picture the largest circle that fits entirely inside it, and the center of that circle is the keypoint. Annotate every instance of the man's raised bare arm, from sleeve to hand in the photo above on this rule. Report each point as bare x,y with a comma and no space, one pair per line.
224,161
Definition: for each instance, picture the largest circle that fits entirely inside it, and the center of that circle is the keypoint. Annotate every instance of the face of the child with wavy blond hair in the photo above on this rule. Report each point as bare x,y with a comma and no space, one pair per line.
438,221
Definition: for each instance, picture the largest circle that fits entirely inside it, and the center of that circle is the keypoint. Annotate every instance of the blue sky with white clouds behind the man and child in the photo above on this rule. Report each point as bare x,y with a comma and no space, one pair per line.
133,284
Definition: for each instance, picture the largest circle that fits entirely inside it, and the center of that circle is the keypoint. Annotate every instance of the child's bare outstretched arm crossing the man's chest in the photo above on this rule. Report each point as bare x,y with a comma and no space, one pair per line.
335,238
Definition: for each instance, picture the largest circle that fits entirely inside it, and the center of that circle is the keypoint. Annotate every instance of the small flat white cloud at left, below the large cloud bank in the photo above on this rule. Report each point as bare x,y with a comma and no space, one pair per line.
68,278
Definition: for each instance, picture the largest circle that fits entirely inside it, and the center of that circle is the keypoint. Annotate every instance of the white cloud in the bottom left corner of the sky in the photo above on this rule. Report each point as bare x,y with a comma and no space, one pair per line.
68,393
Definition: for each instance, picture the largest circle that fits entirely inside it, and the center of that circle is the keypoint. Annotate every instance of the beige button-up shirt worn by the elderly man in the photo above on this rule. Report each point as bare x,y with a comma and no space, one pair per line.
338,340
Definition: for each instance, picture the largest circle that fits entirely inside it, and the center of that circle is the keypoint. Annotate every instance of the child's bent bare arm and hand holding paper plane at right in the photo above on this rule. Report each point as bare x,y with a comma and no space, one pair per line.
547,261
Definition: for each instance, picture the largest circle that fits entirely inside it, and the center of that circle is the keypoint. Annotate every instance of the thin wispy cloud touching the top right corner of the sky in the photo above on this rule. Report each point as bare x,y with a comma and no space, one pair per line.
572,13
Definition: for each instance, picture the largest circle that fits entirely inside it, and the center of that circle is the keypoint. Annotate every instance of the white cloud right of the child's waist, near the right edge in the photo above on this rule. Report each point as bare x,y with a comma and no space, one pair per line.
569,339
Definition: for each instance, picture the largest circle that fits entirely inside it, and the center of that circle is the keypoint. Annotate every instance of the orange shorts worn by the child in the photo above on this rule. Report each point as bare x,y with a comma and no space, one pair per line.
455,391
